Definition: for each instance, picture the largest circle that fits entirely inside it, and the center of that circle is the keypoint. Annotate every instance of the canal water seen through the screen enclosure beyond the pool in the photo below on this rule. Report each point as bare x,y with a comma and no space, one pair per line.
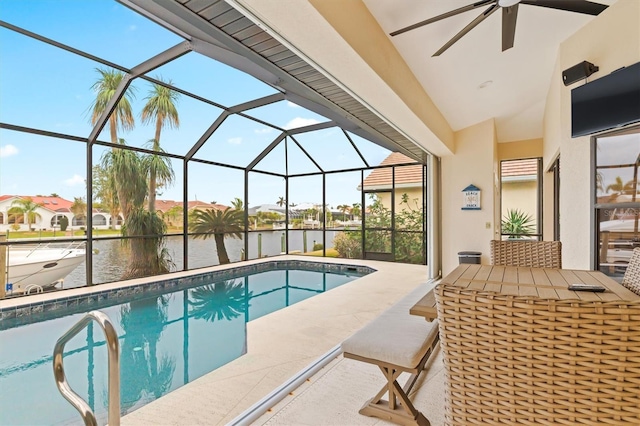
110,257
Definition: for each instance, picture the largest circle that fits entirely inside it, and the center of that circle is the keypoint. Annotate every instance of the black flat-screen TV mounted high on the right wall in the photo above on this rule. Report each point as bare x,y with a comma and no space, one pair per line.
606,103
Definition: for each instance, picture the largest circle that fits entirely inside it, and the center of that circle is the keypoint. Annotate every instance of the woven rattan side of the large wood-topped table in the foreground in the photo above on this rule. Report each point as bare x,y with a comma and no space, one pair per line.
531,361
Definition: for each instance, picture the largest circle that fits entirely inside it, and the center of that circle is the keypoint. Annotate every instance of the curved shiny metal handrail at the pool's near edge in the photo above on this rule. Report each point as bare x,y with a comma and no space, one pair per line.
74,399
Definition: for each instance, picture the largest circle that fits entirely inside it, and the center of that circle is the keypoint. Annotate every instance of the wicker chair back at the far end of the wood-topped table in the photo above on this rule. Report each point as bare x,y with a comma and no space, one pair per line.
536,254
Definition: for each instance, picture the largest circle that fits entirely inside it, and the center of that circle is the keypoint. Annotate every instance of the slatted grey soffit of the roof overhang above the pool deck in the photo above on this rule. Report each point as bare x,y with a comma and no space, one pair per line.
217,30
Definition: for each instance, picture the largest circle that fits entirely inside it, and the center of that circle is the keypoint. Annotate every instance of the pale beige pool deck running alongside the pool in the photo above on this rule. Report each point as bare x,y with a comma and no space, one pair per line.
286,341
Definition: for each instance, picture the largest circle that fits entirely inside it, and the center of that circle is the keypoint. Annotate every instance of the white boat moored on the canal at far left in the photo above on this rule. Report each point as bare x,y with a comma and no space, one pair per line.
35,268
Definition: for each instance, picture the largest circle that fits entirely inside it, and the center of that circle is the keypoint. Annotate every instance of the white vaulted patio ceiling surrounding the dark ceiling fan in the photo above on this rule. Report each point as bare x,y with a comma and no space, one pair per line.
474,79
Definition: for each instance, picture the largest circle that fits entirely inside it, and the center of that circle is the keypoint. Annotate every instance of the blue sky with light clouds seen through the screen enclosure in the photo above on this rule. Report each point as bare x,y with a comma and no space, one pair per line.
47,88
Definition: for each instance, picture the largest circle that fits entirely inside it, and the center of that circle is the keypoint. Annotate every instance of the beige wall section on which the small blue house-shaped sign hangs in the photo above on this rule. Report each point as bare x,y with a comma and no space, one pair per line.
475,162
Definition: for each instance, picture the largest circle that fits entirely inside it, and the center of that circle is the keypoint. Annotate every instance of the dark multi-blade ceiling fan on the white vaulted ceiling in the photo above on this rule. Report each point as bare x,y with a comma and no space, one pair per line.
509,16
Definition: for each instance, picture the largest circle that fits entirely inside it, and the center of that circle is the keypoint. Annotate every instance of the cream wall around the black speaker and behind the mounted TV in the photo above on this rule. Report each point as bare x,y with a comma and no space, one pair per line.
611,41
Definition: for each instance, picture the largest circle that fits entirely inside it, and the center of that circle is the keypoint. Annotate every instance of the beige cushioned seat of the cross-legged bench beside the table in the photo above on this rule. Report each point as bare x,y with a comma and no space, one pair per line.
395,336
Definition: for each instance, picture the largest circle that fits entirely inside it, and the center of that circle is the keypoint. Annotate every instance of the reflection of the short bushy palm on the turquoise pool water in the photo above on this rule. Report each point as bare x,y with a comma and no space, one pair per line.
220,300
